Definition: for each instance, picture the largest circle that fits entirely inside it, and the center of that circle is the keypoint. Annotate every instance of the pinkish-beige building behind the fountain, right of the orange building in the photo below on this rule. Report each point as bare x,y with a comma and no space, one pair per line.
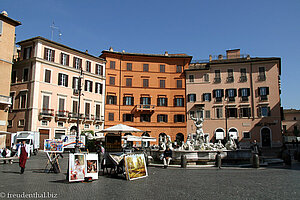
237,96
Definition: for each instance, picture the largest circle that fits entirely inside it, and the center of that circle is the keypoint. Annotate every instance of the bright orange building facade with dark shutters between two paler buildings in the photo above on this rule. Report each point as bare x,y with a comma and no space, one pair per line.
146,91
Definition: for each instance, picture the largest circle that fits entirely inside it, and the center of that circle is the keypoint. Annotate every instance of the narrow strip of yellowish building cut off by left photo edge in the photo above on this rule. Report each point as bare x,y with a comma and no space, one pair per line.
7,45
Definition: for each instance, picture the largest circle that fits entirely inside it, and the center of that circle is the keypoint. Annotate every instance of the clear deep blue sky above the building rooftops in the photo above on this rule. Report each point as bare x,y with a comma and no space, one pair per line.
261,28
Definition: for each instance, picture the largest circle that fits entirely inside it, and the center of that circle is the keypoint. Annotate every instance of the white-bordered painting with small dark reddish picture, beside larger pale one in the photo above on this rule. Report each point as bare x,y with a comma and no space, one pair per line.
92,167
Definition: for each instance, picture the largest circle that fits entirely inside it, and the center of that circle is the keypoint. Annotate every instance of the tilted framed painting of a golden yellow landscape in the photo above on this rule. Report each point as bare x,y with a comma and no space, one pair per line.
135,166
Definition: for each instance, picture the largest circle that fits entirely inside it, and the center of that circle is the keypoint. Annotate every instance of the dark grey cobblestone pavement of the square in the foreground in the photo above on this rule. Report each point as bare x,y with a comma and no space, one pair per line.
171,183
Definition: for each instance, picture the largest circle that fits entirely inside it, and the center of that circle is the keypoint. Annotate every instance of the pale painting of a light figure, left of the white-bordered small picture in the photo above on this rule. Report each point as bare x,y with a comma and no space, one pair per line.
77,167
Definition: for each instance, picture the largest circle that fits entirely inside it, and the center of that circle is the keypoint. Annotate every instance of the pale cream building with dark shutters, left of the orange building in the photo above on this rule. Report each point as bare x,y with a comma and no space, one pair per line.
44,90
